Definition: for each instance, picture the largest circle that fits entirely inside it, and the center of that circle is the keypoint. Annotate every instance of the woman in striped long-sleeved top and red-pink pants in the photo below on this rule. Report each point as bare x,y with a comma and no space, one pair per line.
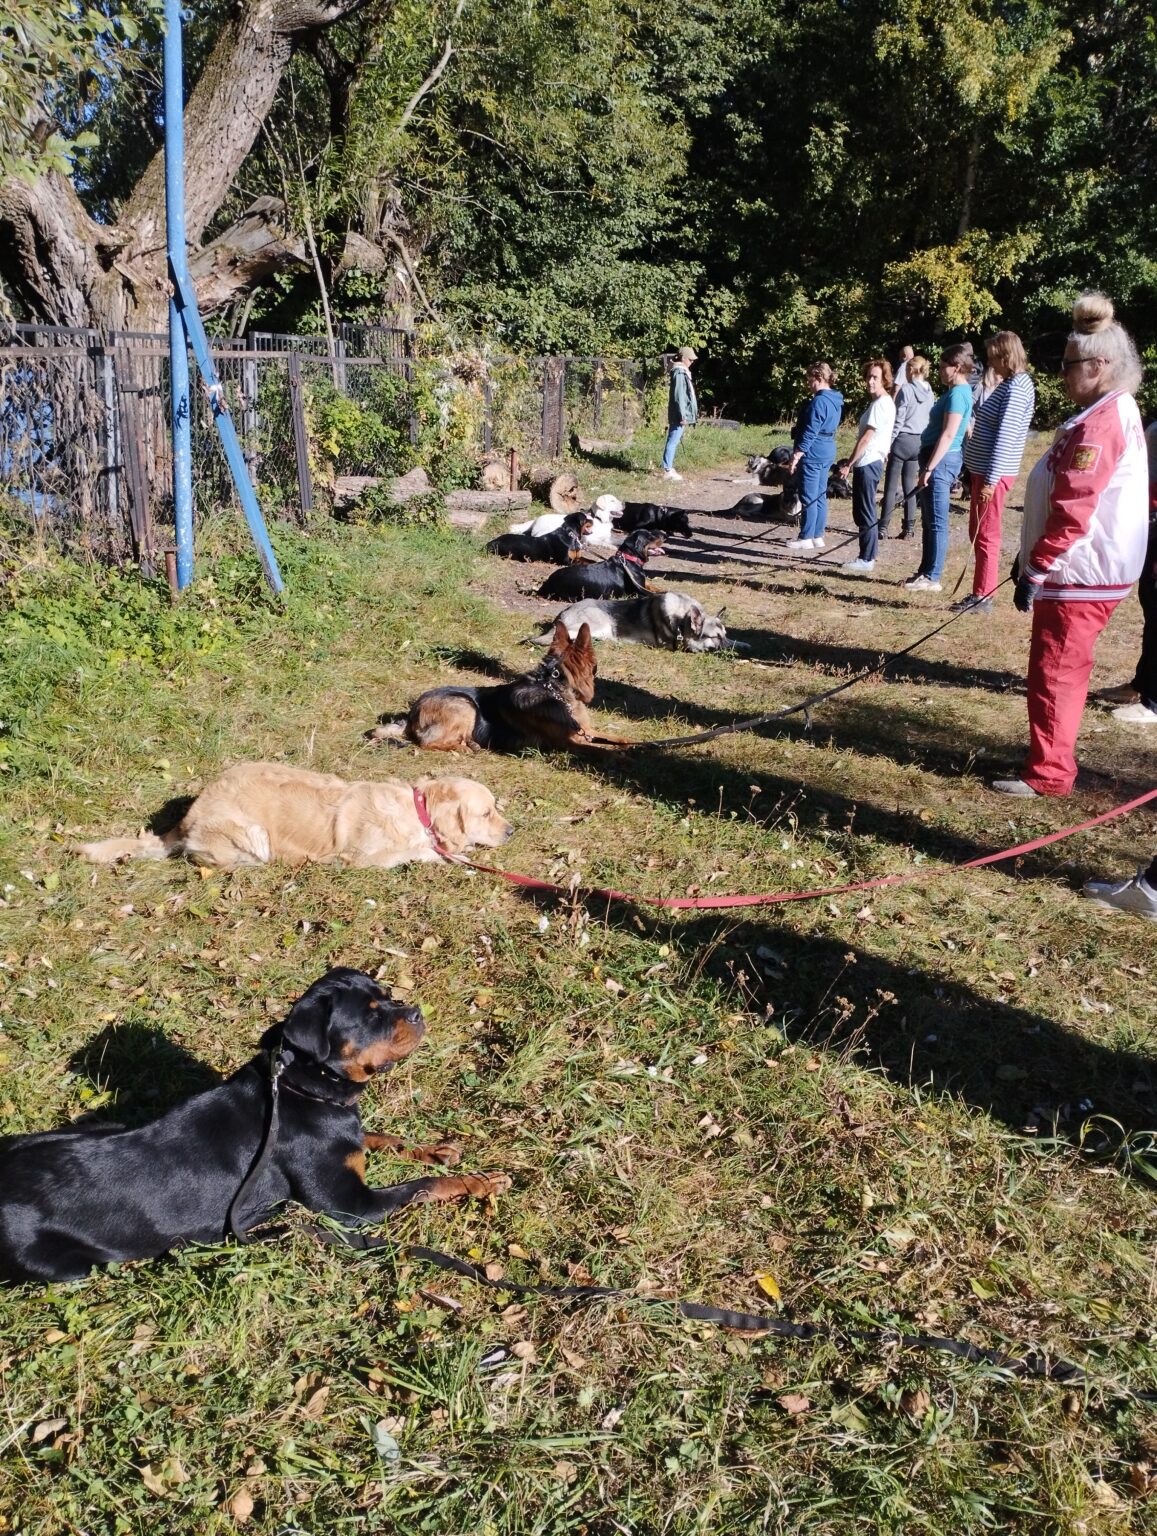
993,460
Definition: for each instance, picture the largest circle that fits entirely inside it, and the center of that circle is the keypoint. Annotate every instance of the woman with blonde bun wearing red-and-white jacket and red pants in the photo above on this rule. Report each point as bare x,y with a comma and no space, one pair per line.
1082,543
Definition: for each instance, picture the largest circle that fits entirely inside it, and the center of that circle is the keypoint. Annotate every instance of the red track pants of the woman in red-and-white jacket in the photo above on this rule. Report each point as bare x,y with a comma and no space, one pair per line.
1059,666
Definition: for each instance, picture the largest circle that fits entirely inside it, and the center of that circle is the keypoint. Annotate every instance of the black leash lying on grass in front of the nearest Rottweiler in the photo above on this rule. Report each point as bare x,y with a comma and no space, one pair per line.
1027,1365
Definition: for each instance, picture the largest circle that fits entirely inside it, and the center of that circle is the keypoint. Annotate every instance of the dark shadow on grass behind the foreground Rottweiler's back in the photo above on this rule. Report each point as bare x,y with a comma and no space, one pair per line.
144,1073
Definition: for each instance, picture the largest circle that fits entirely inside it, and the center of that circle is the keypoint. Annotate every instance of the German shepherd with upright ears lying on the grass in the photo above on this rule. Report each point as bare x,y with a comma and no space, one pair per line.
546,707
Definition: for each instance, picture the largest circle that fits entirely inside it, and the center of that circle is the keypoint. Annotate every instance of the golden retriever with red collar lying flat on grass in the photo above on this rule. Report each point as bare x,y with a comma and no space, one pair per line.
265,813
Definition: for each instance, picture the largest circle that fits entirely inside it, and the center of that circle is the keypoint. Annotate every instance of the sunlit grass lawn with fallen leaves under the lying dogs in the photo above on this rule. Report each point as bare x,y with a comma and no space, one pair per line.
930,1107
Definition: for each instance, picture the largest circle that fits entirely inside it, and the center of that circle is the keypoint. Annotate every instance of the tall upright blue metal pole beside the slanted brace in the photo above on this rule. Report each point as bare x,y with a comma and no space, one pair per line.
179,353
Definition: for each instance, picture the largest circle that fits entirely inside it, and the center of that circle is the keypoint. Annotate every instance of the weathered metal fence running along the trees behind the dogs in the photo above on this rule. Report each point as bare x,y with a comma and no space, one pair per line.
85,455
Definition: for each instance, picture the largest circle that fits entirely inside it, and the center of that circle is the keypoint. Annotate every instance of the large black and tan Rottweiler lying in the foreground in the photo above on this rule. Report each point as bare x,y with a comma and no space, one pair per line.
75,1199
